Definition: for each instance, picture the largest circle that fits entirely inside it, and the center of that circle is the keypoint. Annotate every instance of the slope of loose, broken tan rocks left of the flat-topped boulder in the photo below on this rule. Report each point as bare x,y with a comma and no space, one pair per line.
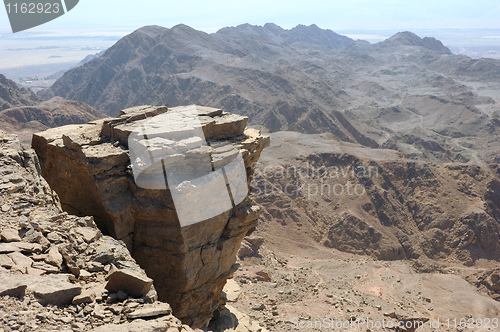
58,271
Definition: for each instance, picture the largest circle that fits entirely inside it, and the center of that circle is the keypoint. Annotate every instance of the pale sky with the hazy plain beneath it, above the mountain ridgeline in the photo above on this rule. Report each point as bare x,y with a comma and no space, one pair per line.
467,27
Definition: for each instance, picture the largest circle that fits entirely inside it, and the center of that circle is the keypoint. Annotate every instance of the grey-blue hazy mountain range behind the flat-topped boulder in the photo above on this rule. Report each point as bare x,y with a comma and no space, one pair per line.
407,93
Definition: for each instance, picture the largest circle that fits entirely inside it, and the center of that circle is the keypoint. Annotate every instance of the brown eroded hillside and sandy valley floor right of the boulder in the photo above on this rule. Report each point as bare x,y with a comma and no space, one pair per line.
339,255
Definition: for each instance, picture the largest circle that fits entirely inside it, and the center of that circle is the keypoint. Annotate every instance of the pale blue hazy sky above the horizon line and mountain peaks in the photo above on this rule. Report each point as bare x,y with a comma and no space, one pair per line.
126,15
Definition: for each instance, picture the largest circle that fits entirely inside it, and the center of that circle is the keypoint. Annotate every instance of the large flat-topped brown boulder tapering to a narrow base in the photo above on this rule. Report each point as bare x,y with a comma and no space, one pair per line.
170,185
